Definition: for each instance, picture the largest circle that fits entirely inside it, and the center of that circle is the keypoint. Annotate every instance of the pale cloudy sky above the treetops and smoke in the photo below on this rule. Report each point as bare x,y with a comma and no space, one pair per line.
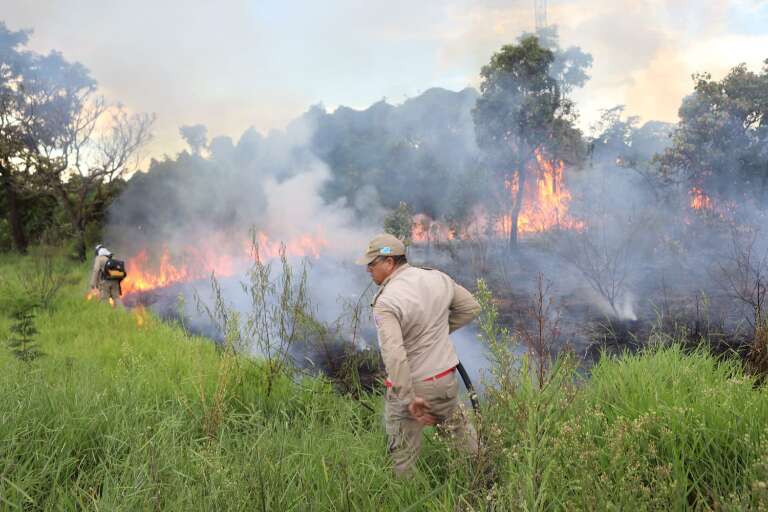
233,64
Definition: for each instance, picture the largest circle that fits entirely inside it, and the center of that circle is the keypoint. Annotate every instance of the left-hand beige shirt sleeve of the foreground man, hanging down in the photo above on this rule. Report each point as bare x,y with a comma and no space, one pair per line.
393,352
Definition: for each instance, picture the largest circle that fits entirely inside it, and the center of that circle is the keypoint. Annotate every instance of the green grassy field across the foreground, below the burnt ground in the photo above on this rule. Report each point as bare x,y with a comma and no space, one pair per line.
124,412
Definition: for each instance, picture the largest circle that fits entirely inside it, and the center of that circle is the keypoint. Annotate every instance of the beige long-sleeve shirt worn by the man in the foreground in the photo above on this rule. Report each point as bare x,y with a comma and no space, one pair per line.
415,310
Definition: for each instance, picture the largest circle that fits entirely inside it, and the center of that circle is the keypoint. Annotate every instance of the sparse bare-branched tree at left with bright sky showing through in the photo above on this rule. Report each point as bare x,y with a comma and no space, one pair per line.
91,146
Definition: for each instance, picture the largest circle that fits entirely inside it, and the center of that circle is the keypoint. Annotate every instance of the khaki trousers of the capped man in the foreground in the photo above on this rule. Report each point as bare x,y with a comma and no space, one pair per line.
404,432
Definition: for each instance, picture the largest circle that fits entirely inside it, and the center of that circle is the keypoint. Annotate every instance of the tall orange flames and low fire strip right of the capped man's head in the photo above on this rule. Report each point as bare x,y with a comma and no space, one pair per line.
544,207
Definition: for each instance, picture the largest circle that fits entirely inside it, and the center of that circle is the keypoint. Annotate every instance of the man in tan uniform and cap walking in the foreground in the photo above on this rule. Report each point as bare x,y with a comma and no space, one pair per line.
415,309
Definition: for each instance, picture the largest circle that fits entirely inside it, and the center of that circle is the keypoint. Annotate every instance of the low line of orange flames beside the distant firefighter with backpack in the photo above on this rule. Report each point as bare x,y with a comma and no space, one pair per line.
215,256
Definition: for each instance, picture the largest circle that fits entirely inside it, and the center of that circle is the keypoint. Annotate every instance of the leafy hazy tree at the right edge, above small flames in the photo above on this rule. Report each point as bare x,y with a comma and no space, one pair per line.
720,145
